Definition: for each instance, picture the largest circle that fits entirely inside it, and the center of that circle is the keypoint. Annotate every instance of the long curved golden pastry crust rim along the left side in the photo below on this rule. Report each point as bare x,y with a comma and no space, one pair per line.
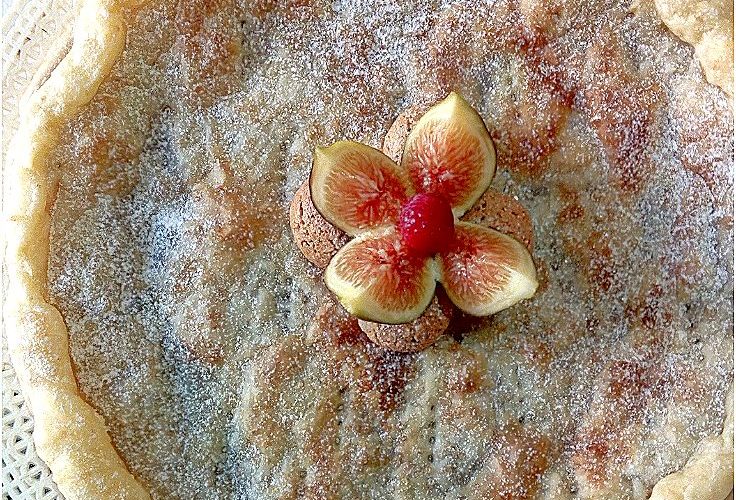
69,434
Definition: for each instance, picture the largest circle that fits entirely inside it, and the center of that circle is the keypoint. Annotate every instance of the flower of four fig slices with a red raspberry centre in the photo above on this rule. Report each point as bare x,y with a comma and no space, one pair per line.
404,220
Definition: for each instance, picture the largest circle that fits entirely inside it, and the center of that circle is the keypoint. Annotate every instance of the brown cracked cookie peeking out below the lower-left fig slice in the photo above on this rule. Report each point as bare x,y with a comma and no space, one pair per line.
416,335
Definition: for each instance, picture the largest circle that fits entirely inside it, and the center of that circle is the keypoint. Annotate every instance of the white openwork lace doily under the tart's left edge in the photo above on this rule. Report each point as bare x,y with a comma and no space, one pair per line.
29,29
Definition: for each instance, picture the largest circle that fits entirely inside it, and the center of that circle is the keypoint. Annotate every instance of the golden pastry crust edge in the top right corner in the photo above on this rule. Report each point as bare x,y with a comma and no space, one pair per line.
707,25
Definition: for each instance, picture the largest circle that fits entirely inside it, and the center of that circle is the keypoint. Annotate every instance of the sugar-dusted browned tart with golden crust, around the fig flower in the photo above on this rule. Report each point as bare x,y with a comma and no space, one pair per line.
173,341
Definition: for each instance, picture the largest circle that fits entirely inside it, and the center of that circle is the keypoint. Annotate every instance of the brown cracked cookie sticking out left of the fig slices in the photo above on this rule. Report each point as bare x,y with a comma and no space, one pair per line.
317,239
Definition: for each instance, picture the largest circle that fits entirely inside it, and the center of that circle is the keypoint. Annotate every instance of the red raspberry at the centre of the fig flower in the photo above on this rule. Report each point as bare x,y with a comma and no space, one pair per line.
426,224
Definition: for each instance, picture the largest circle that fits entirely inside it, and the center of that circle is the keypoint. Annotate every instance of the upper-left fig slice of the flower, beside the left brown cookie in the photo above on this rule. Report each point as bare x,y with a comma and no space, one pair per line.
356,187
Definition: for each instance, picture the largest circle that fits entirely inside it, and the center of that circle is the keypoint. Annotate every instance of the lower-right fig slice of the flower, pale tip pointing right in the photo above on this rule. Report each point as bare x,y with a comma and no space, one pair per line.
486,271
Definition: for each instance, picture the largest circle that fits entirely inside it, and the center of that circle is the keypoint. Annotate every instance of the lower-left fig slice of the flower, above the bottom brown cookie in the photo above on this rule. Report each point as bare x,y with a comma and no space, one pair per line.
377,279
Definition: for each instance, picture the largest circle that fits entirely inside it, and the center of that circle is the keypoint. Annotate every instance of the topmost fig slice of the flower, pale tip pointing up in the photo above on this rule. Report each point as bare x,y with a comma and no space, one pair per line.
450,153
